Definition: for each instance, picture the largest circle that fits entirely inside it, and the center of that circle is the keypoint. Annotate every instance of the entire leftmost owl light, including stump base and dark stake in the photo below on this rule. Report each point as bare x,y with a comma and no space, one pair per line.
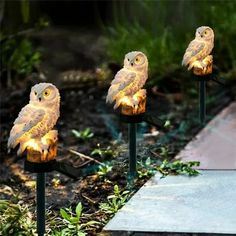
32,130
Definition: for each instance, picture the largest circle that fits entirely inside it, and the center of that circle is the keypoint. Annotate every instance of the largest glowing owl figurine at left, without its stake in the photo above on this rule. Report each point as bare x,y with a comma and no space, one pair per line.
36,120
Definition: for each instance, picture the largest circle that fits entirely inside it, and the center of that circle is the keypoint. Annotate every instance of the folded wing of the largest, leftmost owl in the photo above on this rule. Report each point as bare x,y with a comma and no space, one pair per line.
28,118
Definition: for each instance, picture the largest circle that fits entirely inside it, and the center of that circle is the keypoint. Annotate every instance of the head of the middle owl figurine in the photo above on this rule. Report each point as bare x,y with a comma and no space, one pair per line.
136,61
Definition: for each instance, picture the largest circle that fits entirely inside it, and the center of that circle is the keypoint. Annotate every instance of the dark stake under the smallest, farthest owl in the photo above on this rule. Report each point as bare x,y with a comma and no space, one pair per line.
202,102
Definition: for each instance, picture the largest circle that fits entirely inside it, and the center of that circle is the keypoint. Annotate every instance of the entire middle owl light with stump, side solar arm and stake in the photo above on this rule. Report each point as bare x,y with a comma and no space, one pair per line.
127,92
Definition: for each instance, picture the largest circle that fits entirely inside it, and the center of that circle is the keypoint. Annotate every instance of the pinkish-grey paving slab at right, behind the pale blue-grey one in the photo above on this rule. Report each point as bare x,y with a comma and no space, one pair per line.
215,145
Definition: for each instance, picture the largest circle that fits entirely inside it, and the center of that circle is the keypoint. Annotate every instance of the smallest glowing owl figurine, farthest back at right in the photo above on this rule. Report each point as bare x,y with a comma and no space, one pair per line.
197,55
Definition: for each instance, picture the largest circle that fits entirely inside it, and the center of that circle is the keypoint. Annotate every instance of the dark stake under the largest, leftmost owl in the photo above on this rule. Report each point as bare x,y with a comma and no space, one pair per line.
41,204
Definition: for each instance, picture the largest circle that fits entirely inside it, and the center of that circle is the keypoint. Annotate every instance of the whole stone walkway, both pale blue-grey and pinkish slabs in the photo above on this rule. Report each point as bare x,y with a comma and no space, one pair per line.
180,205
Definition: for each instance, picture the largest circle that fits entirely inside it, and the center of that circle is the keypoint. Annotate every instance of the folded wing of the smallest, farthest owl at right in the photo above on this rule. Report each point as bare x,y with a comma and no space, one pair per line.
193,52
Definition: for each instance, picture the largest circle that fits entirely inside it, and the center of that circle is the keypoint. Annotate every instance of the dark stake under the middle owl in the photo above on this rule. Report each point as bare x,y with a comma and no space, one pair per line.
132,152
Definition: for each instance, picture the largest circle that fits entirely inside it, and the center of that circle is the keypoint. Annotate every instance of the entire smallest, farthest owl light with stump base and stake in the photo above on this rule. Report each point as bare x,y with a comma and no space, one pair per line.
197,57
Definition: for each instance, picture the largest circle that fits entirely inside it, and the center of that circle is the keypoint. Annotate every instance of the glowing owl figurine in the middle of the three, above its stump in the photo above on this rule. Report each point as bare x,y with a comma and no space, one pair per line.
128,82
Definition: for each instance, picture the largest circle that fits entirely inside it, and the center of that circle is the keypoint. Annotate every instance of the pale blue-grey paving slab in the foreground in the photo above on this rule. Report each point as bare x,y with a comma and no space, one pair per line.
179,204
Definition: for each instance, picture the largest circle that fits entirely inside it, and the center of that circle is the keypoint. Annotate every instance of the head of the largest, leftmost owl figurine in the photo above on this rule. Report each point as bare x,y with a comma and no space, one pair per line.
44,94
